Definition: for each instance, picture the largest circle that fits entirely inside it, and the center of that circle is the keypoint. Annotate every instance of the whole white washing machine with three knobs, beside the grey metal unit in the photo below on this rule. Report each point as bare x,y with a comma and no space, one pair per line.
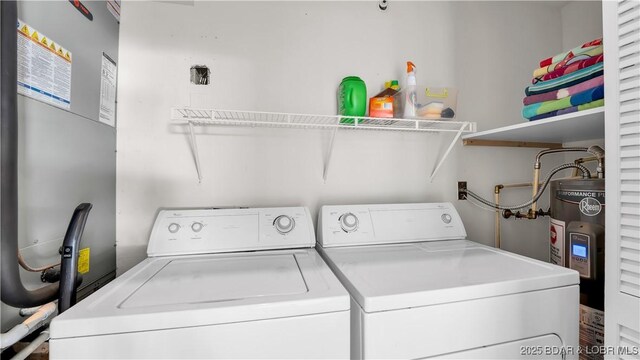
218,283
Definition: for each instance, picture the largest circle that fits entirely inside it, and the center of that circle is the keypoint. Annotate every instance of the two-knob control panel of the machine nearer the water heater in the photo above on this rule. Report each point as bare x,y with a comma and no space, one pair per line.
351,225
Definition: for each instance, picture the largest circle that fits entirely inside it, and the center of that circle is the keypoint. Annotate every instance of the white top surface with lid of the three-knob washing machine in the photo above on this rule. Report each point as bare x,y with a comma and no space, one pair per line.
200,290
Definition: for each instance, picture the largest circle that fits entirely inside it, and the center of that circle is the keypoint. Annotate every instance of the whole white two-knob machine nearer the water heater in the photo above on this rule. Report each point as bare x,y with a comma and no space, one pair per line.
420,290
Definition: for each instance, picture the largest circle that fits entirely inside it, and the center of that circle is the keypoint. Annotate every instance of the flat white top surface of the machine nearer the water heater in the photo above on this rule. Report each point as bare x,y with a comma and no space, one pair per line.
388,277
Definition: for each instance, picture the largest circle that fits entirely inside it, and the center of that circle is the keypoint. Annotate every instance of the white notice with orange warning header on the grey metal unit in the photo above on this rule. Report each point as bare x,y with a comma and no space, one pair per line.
44,68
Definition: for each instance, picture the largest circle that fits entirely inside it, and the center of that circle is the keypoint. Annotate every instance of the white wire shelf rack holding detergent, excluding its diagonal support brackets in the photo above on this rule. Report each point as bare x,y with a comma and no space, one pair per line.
205,117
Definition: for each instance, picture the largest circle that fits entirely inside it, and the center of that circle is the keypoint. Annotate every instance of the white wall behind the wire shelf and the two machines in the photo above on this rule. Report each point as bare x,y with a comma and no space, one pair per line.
290,57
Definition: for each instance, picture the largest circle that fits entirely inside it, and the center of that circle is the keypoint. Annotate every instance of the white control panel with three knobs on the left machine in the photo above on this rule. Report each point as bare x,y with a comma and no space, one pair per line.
201,231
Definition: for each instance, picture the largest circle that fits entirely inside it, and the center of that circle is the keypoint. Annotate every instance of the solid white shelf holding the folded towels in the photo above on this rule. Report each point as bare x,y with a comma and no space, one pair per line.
551,132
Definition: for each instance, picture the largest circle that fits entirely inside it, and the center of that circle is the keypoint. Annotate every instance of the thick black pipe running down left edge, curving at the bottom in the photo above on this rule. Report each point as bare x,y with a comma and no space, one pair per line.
12,291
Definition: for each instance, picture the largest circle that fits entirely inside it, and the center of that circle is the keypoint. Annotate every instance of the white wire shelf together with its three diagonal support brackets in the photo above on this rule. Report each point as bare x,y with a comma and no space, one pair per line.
193,117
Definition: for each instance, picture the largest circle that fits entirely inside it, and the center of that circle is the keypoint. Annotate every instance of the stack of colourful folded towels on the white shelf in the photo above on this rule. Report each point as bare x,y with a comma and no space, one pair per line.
567,82
